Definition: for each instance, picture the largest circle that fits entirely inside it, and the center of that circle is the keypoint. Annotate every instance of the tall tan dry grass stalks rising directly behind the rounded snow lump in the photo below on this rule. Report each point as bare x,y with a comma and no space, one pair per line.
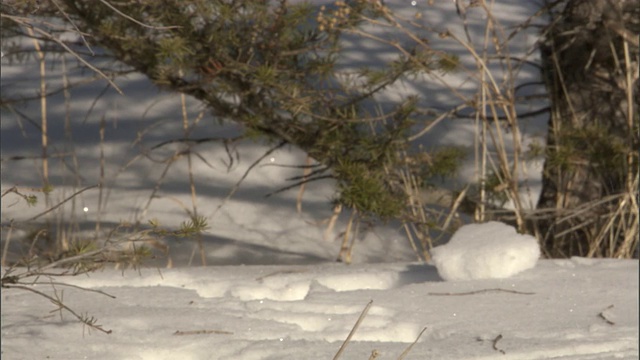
497,151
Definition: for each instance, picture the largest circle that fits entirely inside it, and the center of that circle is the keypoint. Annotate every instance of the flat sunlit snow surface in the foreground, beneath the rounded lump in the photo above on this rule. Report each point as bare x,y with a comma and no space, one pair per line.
561,309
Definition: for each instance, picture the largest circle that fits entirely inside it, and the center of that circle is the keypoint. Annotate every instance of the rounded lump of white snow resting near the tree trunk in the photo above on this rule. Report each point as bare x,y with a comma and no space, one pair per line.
485,251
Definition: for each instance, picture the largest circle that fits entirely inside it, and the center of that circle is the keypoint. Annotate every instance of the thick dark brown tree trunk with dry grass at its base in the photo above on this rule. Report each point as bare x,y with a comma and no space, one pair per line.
590,62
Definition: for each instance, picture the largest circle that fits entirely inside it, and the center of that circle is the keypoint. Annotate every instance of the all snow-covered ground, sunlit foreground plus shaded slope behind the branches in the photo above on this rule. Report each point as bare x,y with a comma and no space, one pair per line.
280,295
